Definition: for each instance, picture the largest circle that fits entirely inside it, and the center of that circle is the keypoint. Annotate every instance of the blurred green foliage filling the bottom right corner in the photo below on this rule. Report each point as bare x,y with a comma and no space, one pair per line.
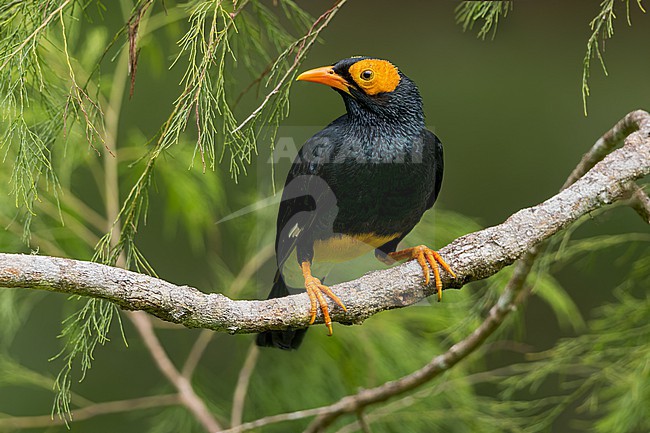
605,370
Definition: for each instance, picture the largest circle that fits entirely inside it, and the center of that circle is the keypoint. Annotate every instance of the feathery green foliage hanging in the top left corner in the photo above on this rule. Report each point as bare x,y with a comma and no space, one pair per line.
33,99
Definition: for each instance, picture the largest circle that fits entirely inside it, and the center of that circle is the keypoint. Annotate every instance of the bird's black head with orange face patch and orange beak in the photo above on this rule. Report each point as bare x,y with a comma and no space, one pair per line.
370,85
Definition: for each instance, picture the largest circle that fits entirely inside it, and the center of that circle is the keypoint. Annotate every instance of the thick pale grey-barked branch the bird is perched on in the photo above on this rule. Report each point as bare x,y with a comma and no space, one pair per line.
474,256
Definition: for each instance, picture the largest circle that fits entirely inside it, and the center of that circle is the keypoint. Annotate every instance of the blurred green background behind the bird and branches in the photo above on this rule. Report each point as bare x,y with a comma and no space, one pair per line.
509,113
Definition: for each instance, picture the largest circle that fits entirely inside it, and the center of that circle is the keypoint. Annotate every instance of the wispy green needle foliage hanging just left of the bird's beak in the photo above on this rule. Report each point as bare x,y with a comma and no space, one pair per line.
211,58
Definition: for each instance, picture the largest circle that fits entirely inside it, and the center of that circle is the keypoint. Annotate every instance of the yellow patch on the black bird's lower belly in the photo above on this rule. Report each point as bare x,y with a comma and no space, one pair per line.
340,248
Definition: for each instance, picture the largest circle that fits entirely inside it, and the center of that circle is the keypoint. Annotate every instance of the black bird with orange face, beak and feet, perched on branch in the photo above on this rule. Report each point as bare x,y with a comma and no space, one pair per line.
360,184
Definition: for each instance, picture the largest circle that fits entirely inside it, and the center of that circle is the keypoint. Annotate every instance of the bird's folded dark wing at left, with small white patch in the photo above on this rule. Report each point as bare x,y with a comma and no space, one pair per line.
306,193
